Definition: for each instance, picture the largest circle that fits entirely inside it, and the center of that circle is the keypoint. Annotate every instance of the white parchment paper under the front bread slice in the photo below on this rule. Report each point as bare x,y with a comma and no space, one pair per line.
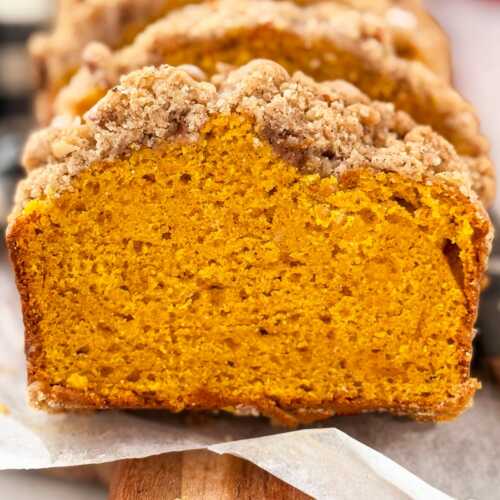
462,458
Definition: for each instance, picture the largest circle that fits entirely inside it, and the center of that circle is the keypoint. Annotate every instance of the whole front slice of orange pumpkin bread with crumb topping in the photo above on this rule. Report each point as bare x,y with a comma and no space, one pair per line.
270,244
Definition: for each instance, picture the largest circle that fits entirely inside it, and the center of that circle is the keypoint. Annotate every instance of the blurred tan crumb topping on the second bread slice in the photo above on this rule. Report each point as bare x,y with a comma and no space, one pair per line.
360,32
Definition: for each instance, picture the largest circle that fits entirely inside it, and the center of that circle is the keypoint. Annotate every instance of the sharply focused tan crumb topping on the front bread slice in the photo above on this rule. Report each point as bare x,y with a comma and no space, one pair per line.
325,128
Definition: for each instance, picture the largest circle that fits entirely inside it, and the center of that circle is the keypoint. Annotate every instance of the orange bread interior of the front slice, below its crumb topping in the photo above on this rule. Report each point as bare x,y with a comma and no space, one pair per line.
216,275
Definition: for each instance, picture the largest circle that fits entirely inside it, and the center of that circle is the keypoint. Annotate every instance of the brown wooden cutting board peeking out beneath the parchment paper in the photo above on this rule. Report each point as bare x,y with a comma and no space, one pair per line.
195,475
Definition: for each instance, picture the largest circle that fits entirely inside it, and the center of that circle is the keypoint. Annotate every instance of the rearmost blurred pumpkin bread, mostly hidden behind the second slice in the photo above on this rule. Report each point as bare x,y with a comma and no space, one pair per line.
58,54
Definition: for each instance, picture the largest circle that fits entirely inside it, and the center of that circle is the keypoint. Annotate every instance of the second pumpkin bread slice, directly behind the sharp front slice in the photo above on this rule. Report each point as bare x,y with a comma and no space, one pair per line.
325,41
